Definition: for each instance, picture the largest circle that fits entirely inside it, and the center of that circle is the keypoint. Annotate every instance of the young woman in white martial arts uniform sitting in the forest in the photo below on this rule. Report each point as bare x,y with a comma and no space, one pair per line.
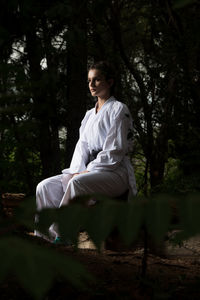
100,163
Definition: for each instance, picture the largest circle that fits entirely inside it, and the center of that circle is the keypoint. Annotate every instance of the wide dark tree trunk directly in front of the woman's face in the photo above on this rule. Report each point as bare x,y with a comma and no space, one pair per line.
77,76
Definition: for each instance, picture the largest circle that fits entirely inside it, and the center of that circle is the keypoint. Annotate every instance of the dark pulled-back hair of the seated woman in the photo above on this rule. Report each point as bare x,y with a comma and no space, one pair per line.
106,69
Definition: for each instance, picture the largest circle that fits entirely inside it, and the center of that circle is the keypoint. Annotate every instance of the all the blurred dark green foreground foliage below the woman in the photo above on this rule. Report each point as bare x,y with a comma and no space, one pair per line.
36,267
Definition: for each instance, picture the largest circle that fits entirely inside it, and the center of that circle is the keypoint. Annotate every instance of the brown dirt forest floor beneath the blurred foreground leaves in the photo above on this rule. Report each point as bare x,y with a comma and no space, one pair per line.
118,274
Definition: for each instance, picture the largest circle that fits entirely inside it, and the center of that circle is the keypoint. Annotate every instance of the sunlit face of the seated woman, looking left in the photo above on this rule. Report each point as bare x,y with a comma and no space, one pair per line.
98,85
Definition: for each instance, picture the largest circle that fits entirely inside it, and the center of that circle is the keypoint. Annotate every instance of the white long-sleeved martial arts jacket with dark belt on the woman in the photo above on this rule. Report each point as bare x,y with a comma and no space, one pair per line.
106,134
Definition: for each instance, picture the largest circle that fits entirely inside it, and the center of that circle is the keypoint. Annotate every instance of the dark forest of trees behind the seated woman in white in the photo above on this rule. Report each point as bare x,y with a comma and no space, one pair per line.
45,49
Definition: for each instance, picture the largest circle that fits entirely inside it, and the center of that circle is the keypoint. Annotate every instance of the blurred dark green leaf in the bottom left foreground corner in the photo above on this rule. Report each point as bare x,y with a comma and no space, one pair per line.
36,267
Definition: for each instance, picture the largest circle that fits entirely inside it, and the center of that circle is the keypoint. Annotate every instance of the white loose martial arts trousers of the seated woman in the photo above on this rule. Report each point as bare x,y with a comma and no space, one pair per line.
59,190
